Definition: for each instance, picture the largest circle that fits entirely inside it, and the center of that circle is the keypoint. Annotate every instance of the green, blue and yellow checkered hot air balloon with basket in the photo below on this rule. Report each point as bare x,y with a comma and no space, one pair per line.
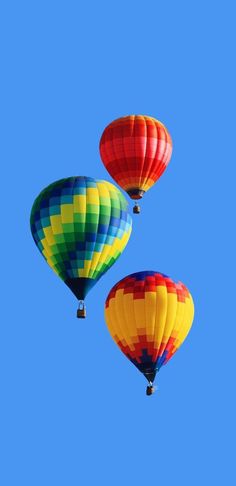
81,226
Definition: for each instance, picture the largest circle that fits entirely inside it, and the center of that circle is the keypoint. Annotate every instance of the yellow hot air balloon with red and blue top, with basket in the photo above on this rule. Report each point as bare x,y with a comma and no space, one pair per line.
149,316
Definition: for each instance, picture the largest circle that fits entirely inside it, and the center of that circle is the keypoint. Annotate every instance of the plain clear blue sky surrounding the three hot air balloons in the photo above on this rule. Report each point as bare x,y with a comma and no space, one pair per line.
73,408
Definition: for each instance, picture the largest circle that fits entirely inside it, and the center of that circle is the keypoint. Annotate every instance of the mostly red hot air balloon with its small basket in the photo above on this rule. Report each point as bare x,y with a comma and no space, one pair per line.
135,150
